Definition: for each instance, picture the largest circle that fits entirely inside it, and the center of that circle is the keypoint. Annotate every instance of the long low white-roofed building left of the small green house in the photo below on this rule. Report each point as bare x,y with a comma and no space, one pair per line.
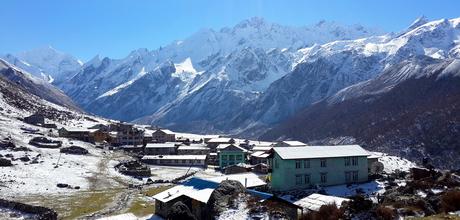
176,160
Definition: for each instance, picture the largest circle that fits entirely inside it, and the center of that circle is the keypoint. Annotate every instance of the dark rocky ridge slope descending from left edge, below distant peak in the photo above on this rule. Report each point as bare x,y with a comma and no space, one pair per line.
33,85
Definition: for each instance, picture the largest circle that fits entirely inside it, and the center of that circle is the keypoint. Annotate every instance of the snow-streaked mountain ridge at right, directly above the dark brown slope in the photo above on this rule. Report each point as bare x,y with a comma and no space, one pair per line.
323,70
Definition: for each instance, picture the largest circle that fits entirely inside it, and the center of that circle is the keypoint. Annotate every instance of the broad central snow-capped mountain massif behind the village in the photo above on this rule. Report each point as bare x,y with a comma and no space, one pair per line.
238,63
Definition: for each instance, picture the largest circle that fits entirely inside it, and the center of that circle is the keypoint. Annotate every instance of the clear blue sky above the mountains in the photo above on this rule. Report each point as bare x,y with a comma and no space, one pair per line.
113,28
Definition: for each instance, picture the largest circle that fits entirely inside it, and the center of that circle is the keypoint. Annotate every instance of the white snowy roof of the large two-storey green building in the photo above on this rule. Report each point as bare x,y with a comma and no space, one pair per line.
320,151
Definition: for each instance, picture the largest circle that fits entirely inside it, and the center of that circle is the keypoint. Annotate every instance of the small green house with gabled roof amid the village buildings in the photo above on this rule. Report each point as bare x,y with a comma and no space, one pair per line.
230,154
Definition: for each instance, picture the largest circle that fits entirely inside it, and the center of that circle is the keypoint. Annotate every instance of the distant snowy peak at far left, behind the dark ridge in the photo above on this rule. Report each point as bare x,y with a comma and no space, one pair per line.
47,63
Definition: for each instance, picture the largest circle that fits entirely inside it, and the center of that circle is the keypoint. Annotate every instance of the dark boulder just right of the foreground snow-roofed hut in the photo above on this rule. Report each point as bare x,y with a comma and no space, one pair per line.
224,196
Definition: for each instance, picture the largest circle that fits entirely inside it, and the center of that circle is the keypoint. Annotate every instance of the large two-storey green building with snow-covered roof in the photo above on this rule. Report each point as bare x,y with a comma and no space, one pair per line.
308,166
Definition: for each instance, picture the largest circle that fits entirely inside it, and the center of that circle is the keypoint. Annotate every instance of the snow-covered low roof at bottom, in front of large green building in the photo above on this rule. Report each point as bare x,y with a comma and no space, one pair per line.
315,201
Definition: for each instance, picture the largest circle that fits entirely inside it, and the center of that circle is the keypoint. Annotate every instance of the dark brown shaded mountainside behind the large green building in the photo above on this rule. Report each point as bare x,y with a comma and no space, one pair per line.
411,109
